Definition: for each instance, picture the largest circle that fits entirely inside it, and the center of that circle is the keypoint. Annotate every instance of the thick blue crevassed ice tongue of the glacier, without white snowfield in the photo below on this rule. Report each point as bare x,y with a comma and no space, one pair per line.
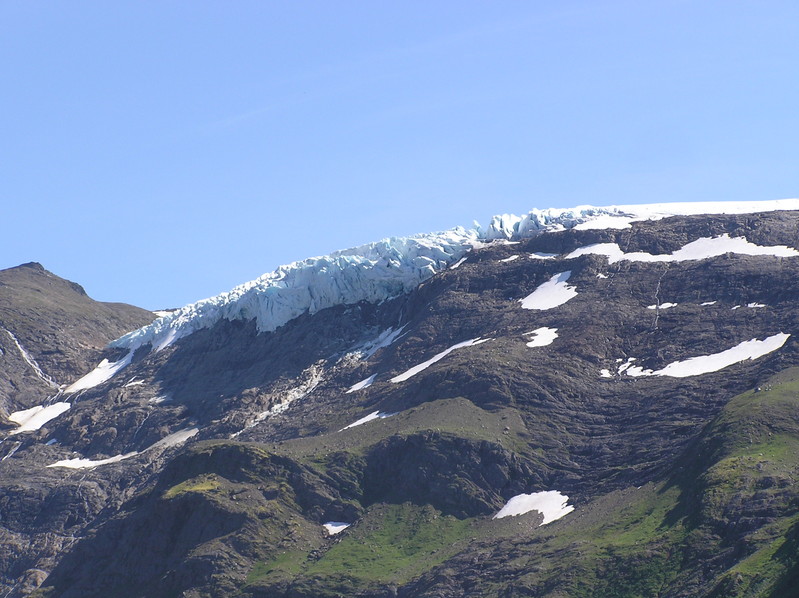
371,273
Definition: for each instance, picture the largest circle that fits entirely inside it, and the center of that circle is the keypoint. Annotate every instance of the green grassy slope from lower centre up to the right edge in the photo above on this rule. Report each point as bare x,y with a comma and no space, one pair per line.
725,525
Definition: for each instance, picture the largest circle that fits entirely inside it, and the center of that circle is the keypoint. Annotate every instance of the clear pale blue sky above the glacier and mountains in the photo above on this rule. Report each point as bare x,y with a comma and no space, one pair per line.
162,152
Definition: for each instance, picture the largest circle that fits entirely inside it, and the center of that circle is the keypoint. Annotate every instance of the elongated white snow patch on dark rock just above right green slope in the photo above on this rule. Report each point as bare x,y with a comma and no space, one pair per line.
705,364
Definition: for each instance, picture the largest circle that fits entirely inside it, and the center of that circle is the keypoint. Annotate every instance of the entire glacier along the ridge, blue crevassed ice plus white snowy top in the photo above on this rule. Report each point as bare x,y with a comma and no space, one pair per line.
392,267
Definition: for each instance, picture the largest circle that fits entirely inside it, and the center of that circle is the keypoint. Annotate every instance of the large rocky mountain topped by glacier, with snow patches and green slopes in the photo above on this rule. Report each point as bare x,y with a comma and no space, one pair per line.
586,402
